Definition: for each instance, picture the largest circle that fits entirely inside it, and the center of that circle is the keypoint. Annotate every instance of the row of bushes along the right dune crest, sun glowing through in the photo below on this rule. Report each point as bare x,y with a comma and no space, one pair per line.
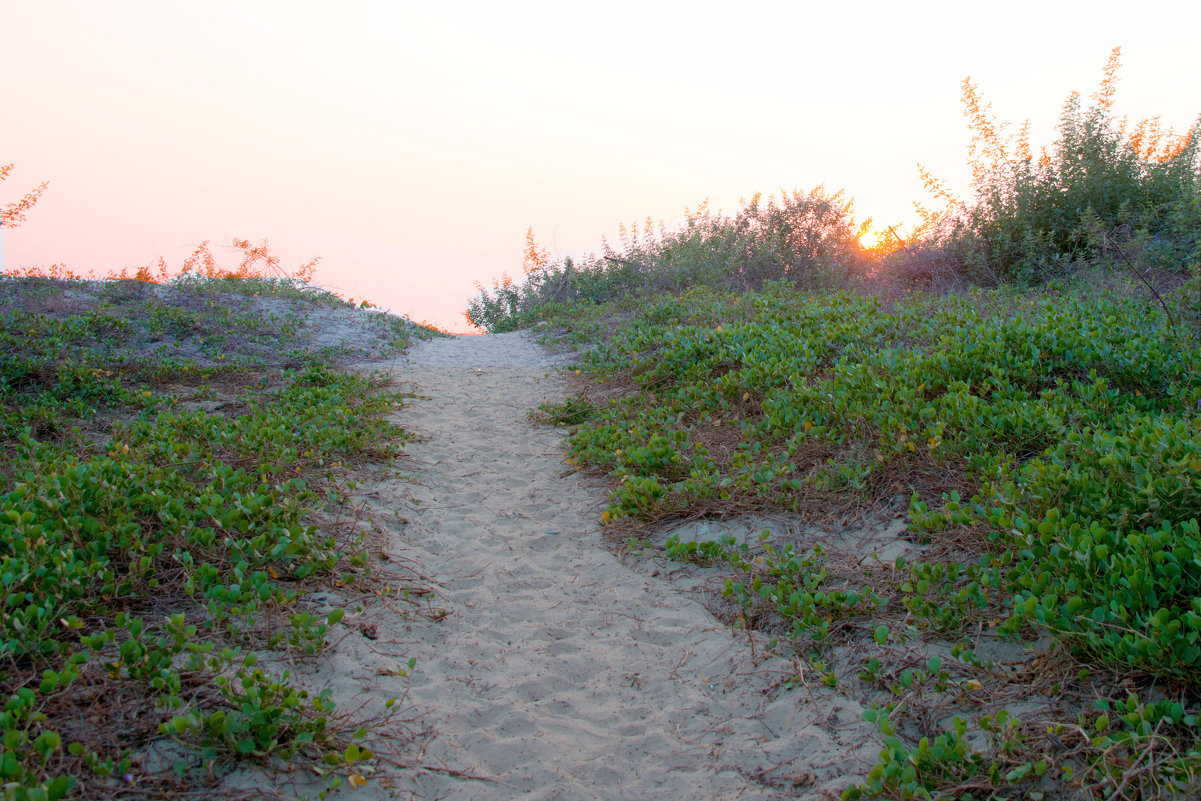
1108,194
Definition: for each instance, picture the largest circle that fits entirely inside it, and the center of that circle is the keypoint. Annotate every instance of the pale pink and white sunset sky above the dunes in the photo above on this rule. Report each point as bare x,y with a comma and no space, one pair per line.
411,145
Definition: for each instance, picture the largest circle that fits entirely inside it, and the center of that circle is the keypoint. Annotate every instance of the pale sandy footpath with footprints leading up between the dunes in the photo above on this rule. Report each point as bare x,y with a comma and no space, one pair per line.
560,673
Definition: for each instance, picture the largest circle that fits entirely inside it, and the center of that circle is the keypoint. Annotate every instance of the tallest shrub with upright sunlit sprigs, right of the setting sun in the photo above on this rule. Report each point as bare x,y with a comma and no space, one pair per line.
1103,186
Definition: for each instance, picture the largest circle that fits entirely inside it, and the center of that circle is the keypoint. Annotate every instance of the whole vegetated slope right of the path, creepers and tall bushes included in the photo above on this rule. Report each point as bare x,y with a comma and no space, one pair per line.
1018,381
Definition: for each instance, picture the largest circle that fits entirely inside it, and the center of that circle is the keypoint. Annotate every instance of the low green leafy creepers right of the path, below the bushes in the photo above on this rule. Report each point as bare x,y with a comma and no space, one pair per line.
1047,449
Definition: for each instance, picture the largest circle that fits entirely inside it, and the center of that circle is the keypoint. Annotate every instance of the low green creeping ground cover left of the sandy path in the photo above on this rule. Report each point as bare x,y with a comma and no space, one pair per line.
168,457
